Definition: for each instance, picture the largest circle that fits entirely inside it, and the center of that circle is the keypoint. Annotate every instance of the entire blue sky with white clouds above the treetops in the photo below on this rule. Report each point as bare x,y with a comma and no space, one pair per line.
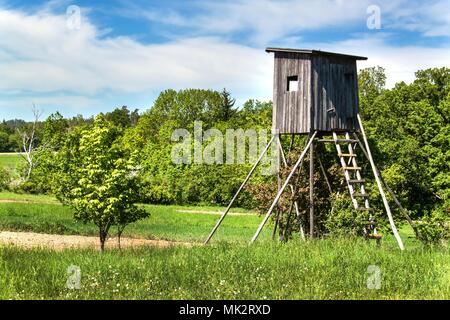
123,53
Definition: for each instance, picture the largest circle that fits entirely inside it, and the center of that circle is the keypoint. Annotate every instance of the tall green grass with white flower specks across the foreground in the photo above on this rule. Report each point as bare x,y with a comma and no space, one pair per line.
313,270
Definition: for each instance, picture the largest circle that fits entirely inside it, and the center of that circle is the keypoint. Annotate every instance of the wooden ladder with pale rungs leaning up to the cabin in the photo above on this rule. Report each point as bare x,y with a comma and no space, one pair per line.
355,182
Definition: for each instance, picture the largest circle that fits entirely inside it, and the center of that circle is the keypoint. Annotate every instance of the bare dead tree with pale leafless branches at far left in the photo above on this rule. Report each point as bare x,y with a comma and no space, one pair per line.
28,141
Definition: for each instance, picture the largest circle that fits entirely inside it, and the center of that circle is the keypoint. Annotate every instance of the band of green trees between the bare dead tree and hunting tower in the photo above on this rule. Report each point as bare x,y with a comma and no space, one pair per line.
150,135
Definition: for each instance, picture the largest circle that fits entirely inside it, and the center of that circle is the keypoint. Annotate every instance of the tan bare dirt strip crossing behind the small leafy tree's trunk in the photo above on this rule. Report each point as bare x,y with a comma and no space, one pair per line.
60,242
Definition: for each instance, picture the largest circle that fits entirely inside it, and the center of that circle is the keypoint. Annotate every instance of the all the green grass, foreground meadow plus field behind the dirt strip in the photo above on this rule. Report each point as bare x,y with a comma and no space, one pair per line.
228,269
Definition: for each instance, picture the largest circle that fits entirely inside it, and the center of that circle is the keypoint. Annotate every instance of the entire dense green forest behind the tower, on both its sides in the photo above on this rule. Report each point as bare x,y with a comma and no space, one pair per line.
408,127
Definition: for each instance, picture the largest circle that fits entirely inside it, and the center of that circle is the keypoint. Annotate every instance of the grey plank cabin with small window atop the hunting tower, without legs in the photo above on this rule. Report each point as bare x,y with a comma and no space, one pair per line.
314,91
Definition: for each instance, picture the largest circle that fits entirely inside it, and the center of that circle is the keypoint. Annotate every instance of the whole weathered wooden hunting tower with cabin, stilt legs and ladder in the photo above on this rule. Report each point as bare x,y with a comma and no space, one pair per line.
316,93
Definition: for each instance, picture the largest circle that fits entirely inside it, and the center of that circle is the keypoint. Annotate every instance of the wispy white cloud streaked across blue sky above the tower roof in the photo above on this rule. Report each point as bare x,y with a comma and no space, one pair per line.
269,20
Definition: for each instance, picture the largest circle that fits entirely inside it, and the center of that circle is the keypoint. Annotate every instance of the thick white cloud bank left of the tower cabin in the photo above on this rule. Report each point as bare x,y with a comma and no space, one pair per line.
41,54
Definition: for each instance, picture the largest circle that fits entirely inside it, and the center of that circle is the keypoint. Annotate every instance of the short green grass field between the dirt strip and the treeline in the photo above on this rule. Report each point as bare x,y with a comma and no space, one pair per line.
44,214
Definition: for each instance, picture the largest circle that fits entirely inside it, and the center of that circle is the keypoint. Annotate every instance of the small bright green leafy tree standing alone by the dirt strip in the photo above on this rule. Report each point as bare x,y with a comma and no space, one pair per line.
98,178
